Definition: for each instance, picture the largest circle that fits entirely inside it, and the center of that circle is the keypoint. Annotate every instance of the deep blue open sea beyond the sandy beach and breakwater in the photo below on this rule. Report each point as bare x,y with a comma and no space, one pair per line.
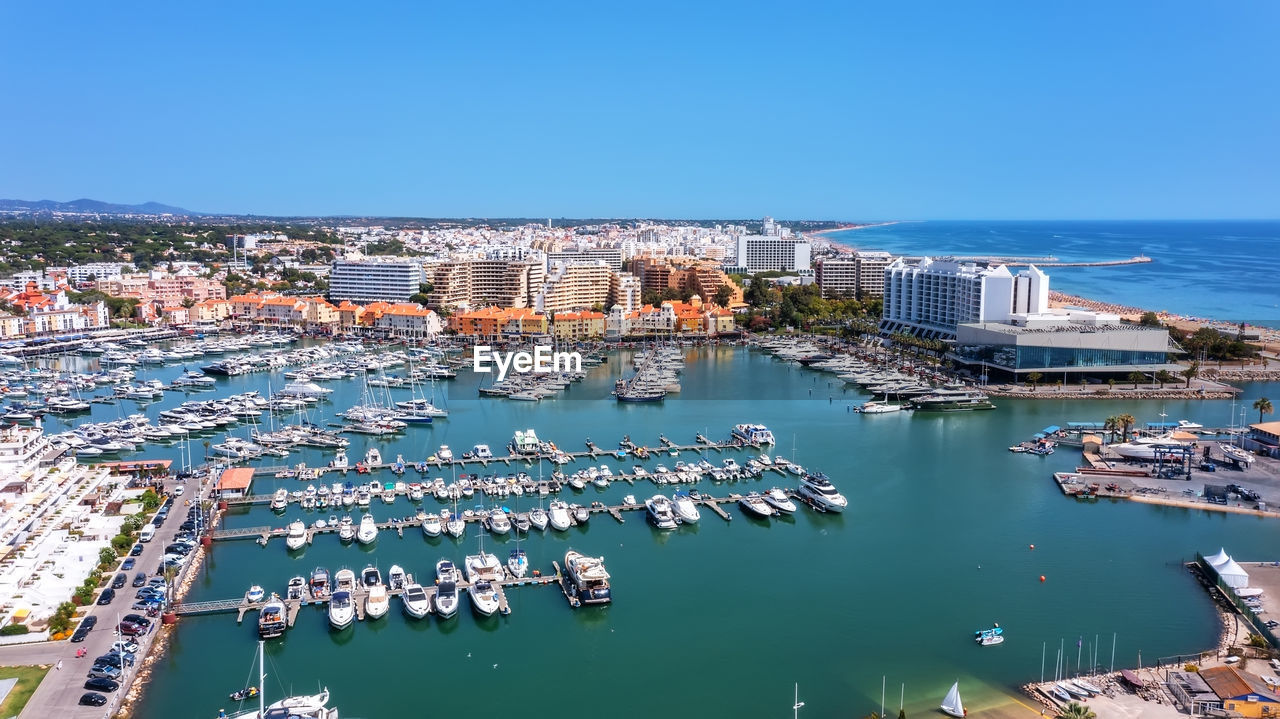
1205,269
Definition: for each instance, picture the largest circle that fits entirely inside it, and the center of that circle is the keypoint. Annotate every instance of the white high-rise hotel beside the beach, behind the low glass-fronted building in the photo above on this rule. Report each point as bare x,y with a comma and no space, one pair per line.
932,297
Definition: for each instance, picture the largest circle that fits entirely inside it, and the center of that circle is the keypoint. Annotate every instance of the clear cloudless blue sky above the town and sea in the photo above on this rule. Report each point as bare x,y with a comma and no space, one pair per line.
692,109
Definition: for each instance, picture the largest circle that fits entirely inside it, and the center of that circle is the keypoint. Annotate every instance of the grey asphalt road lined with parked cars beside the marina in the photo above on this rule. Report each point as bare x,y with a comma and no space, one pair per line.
60,693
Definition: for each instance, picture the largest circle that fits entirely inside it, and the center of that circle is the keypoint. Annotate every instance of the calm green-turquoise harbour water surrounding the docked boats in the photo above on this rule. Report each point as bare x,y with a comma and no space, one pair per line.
723,619
